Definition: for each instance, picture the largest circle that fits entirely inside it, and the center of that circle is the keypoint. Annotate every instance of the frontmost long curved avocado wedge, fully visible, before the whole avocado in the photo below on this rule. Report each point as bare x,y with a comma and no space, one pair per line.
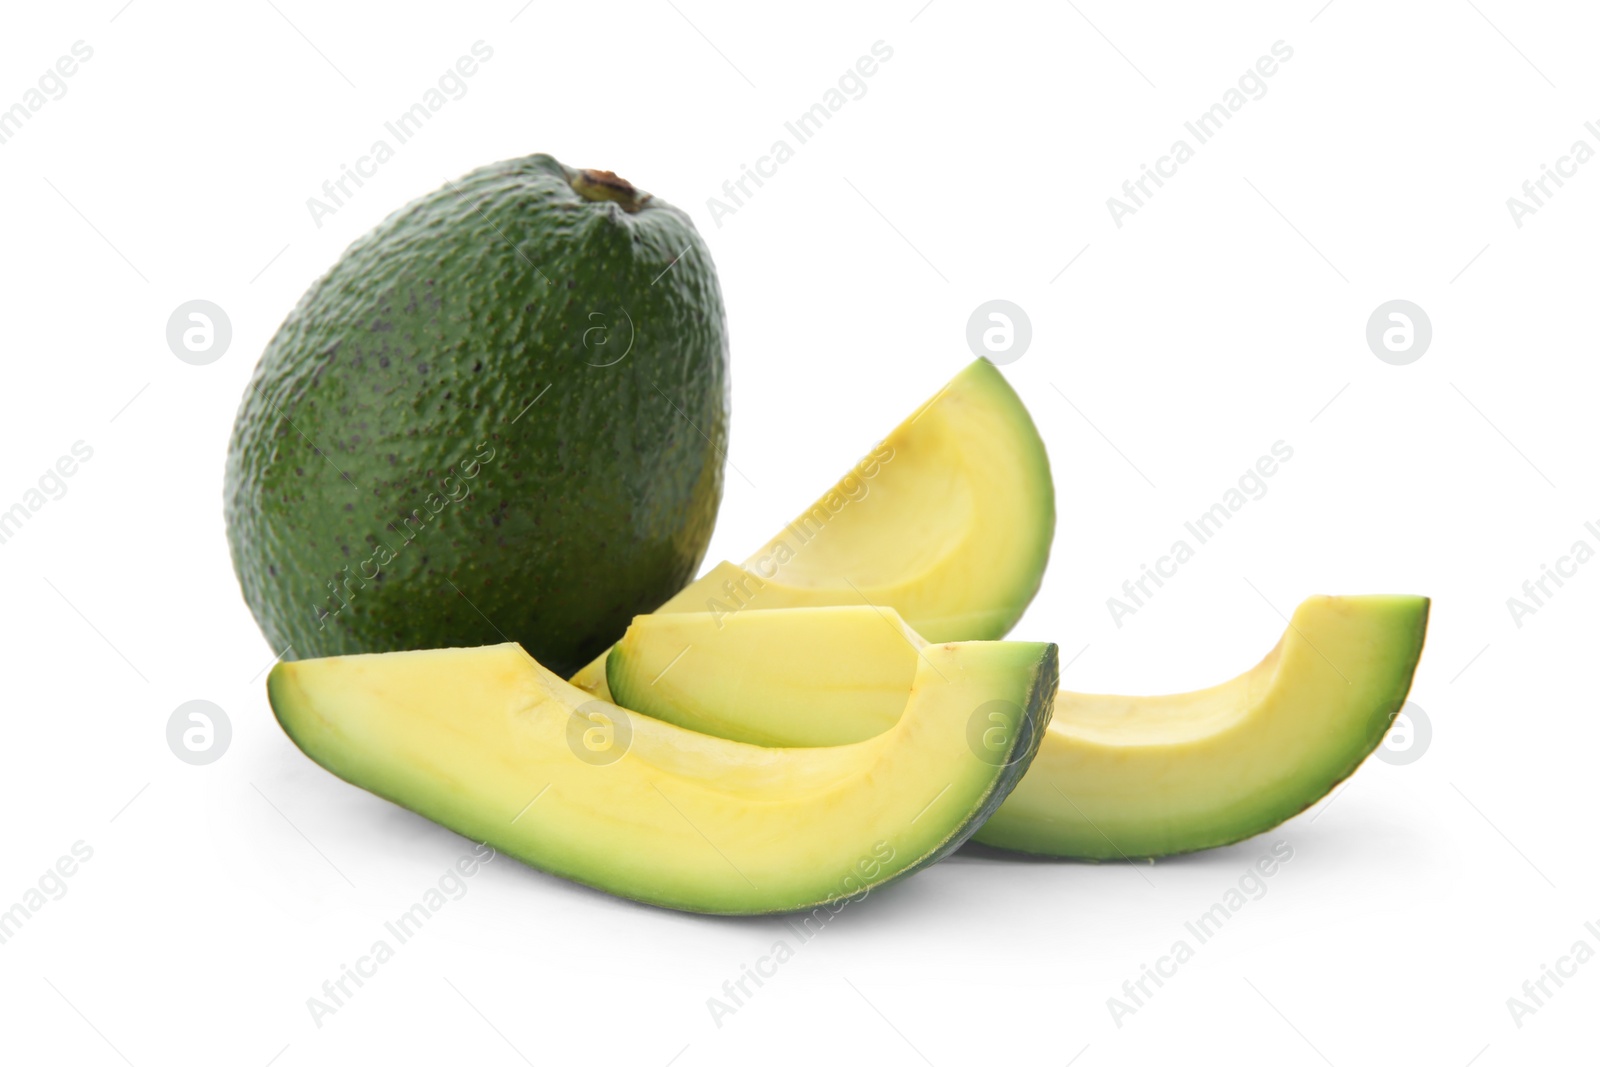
498,749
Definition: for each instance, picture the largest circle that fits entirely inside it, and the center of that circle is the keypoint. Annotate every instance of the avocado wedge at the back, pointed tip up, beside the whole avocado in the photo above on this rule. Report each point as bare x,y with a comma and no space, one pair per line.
948,521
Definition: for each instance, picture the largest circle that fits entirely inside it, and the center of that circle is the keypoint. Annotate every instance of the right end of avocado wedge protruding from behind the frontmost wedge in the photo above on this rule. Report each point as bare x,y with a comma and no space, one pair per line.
1159,775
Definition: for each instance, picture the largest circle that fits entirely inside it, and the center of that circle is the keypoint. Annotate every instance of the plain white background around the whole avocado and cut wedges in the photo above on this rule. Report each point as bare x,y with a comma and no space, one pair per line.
1225,316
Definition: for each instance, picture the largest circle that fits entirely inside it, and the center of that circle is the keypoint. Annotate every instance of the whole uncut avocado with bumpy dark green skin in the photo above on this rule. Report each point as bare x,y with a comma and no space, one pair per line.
500,417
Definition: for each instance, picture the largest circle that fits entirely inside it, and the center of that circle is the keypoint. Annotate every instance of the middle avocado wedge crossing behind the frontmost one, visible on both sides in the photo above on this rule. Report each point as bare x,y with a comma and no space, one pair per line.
1116,777
